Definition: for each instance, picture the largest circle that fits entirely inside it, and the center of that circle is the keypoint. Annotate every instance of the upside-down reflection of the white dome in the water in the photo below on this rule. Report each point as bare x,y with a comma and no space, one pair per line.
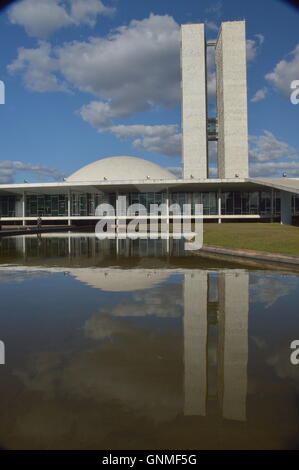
120,280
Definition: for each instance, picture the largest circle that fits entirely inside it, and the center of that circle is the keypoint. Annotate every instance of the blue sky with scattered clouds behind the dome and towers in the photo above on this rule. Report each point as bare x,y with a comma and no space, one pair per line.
88,79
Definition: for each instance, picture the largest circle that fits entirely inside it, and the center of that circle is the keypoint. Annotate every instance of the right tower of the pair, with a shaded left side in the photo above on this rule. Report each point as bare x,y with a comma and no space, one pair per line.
232,101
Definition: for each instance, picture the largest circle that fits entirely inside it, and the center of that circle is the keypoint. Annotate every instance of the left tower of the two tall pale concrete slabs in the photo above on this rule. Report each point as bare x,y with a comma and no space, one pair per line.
194,101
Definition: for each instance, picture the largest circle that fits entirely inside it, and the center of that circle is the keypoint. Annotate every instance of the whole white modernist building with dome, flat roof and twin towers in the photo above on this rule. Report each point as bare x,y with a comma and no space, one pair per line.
233,195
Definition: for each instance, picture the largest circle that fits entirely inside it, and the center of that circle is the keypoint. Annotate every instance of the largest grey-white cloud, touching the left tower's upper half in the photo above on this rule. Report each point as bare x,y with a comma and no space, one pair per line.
134,68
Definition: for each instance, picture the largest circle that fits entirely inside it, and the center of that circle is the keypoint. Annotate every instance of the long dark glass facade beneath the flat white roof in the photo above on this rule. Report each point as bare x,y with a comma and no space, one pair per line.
264,203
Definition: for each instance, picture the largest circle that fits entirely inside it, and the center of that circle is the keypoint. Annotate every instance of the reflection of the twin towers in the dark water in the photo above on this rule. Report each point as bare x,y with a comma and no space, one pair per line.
216,343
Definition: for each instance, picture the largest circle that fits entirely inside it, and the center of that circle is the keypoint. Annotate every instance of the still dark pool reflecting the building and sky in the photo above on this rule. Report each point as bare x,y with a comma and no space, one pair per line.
128,345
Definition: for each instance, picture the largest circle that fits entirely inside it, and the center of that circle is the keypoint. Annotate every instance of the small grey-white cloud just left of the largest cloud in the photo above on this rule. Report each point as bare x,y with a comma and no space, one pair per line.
38,68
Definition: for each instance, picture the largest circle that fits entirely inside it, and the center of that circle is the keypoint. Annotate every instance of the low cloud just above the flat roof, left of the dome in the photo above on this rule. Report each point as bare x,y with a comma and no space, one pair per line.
9,169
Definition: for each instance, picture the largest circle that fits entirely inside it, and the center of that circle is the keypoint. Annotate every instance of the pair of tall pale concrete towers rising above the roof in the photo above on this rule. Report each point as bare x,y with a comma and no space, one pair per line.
230,127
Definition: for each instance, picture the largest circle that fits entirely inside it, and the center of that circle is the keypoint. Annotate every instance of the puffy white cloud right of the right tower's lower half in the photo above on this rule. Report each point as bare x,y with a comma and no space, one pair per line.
267,147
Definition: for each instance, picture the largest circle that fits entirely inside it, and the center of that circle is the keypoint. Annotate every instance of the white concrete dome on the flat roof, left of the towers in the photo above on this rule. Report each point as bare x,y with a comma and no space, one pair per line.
119,169
